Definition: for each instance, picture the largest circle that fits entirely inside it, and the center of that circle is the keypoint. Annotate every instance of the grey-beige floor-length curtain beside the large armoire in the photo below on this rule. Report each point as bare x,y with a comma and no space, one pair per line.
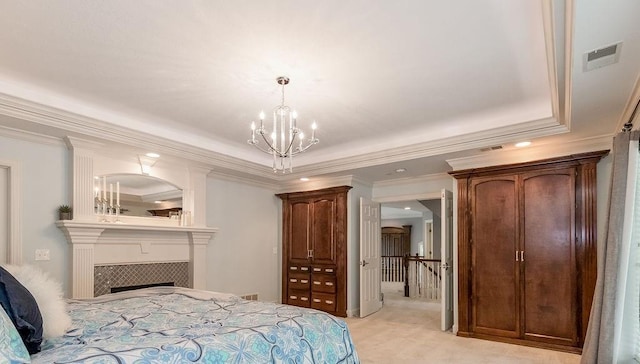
599,342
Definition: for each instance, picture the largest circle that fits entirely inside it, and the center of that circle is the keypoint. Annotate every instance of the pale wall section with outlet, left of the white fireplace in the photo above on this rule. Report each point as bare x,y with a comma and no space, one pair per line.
44,185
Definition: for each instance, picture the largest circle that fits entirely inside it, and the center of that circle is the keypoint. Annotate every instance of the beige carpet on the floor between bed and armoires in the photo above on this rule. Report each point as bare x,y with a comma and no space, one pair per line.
408,331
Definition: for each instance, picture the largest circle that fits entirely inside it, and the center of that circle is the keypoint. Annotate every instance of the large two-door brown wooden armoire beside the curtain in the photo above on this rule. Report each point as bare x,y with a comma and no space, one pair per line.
527,251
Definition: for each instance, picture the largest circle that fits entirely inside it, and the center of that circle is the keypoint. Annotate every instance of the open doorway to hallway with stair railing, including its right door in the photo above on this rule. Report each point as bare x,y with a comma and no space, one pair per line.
423,279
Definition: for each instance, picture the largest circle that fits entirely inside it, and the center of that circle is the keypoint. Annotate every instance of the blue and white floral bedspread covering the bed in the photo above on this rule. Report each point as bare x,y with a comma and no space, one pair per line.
175,325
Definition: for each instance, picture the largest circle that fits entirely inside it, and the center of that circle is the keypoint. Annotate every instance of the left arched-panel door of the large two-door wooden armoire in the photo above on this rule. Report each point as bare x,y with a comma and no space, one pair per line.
495,298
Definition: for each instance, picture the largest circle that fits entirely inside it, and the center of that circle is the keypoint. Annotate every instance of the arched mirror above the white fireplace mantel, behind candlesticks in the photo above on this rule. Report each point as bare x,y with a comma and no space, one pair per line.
142,195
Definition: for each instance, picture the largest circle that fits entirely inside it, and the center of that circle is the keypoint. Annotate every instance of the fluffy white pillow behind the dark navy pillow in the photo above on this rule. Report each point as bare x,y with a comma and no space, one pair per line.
48,295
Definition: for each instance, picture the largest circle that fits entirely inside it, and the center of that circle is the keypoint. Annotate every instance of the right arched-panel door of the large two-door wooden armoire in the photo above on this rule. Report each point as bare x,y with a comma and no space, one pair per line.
549,259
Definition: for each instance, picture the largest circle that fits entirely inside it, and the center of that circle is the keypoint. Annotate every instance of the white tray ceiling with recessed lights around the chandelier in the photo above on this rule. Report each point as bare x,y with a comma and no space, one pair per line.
391,84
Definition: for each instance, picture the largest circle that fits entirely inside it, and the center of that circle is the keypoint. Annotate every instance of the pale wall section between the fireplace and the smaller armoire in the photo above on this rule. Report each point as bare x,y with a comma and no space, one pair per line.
240,257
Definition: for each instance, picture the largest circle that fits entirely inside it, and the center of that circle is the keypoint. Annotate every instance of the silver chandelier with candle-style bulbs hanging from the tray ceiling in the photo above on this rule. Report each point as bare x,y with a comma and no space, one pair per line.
285,138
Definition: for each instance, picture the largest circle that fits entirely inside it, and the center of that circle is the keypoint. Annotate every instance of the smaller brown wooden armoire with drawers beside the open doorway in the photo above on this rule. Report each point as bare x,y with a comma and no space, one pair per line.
314,254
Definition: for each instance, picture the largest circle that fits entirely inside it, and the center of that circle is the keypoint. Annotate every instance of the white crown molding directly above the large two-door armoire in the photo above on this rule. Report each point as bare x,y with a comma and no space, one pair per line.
521,155
